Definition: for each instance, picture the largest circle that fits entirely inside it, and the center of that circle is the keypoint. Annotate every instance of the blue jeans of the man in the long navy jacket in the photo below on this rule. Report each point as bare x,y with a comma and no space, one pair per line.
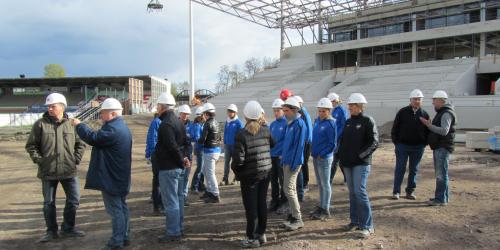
117,208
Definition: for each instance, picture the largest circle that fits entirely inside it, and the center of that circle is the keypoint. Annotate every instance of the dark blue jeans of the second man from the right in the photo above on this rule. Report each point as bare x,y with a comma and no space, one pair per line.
405,152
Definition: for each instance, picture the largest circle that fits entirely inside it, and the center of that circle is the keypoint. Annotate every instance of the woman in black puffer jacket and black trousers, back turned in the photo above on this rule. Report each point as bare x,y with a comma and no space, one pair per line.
251,165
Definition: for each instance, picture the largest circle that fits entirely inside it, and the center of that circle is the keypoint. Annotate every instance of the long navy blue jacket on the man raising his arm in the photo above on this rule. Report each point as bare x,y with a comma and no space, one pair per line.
111,158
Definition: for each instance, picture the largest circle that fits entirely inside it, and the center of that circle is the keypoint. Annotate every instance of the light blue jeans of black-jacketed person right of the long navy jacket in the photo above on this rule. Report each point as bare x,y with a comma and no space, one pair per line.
171,187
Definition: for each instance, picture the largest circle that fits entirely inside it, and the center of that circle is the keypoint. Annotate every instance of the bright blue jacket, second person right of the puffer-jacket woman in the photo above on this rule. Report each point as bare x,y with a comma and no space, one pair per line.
293,146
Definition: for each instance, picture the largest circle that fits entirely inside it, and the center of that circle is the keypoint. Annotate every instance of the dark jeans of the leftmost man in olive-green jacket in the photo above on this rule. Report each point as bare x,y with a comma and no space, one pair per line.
72,190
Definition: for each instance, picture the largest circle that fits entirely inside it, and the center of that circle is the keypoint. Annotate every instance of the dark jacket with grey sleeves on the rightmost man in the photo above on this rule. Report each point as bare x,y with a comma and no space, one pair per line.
448,141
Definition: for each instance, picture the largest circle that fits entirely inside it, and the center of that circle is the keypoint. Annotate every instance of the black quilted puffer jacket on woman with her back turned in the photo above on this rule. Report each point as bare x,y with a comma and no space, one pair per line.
252,155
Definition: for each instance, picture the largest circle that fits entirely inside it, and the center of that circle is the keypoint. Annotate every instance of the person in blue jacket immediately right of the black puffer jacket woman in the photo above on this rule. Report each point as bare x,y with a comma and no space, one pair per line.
278,129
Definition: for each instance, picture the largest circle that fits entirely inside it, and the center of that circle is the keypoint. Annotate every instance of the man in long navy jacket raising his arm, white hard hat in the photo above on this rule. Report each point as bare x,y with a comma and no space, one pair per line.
110,167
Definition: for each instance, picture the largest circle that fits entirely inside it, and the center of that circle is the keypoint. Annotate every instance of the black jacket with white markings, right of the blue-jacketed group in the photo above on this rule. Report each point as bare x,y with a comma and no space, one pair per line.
358,141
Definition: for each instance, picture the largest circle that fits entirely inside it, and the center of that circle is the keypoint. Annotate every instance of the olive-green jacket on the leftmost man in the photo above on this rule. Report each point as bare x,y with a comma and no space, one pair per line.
55,148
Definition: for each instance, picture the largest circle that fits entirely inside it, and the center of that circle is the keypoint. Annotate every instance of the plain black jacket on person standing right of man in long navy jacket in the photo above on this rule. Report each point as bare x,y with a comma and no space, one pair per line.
172,144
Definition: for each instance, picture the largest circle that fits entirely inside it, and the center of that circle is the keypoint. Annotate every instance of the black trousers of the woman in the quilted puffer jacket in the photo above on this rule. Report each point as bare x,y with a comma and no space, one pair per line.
254,200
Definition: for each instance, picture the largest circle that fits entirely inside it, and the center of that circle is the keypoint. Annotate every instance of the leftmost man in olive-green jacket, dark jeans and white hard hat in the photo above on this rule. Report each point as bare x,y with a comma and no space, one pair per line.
54,146
